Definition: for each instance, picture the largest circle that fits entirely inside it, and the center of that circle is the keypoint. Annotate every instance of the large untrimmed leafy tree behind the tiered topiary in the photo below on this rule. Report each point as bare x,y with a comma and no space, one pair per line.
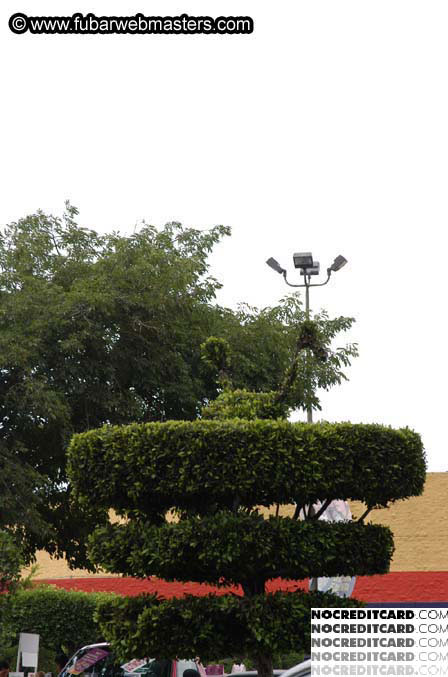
101,329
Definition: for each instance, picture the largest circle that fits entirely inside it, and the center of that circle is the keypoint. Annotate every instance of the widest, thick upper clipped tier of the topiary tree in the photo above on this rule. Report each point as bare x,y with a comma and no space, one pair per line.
156,466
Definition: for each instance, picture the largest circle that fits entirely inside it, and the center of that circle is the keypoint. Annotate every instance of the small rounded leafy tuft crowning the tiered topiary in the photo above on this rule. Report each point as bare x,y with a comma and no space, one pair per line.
245,404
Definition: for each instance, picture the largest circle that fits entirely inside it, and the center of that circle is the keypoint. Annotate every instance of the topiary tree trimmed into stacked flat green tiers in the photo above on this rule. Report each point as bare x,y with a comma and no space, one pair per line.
215,474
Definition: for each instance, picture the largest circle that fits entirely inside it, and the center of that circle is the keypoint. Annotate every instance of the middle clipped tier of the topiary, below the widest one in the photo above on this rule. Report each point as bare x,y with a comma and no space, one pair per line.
236,548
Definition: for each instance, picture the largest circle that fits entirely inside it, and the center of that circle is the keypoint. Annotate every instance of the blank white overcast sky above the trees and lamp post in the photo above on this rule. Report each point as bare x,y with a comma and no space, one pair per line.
326,130
